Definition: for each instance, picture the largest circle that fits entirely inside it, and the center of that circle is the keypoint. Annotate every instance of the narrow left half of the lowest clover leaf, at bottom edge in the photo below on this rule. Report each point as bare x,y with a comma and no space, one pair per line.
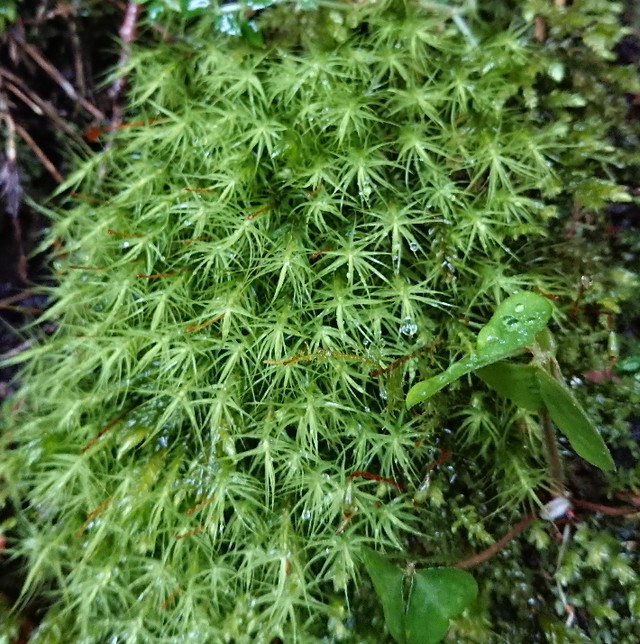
387,580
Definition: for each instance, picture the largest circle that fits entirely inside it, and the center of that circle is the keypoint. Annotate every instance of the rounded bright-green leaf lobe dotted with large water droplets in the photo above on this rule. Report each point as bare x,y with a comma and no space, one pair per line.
514,325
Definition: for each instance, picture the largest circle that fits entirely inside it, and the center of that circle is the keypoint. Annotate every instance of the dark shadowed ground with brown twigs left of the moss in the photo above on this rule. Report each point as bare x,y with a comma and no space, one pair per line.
80,44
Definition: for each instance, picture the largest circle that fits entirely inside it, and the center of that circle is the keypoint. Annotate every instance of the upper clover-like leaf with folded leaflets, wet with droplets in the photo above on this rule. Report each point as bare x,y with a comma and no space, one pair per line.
536,386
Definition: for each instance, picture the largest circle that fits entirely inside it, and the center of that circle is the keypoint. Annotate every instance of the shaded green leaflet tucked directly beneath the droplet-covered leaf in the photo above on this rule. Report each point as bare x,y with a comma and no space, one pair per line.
517,382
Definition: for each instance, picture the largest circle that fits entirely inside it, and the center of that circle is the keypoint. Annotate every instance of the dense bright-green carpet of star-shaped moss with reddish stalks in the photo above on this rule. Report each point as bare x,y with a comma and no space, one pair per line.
215,436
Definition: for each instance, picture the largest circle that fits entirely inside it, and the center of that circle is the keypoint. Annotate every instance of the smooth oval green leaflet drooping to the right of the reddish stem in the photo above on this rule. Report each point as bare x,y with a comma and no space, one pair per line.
573,422
